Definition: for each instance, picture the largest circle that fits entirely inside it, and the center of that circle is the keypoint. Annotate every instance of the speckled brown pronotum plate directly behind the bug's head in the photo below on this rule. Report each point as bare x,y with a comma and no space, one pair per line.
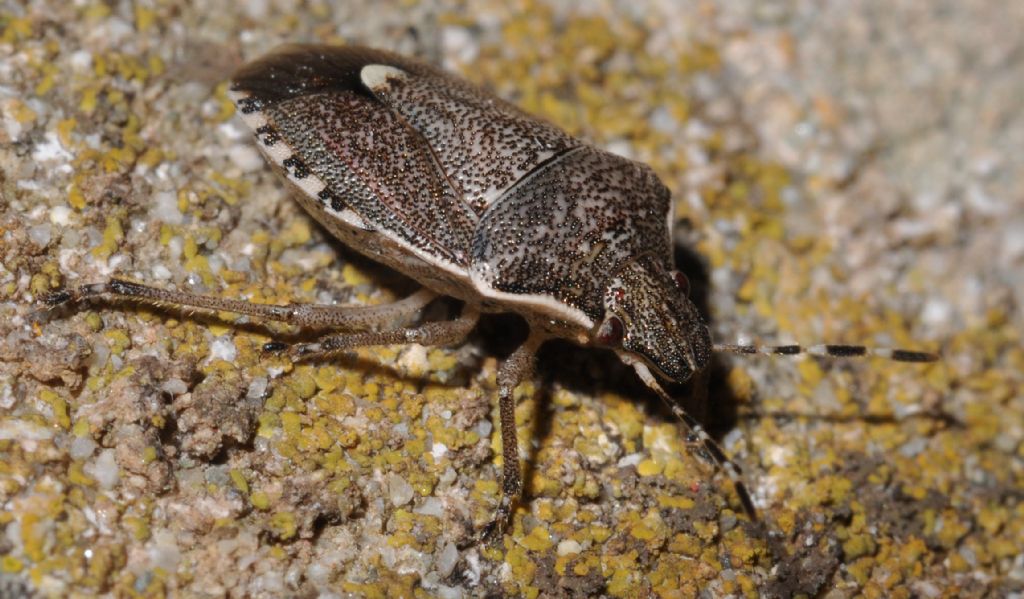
565,231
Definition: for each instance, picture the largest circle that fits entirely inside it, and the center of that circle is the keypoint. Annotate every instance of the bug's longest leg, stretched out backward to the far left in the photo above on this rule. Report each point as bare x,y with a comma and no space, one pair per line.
311,316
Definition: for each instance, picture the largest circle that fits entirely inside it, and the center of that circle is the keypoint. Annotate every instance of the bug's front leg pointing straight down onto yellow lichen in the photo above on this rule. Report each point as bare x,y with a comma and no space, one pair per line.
517,369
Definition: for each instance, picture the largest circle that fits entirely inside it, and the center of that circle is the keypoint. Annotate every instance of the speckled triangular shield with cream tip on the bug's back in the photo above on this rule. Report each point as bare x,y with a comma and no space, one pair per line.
484,145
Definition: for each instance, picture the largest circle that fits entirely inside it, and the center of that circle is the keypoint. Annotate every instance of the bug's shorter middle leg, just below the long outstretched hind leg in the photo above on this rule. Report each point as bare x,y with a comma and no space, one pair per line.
436,333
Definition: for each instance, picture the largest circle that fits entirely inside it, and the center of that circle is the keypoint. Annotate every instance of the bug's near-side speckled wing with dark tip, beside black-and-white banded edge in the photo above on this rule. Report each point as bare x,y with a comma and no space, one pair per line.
362,162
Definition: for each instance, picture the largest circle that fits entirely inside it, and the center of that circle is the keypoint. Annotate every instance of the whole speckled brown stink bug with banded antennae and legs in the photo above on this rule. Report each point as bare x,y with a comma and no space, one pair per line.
479,201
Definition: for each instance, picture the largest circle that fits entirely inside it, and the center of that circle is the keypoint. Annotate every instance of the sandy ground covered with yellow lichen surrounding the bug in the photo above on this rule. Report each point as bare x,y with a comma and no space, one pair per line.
846,173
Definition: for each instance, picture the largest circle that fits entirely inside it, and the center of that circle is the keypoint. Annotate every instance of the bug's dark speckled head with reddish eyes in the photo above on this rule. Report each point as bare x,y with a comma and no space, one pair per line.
651,321
